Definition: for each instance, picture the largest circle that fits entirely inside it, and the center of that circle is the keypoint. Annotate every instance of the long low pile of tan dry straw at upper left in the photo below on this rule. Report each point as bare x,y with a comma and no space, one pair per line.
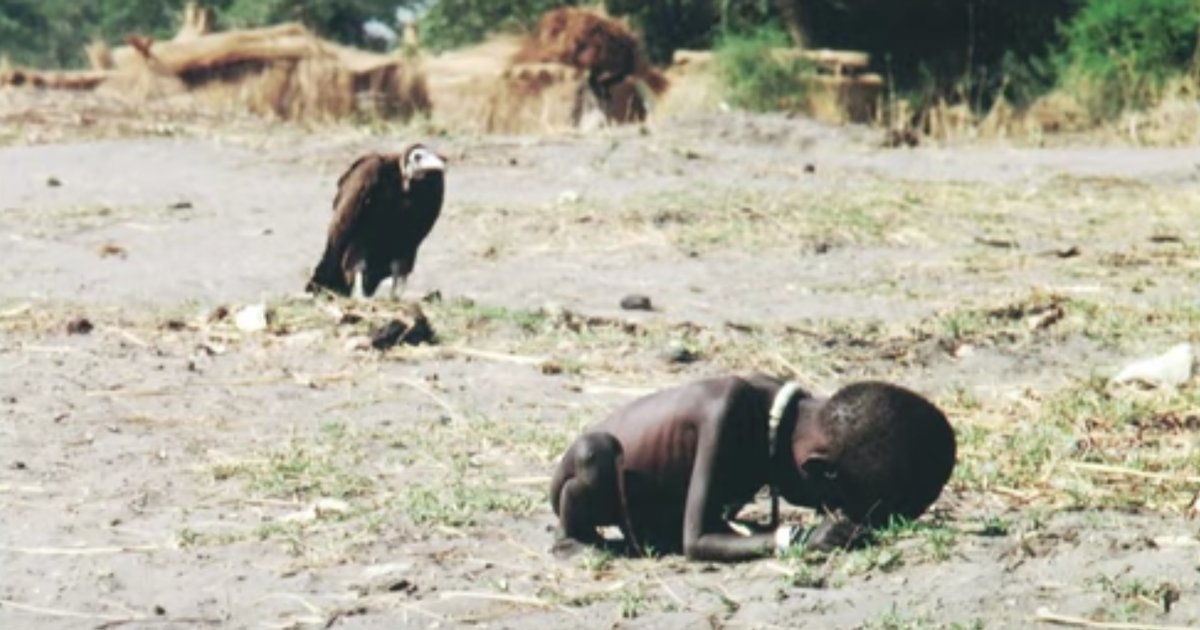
284,70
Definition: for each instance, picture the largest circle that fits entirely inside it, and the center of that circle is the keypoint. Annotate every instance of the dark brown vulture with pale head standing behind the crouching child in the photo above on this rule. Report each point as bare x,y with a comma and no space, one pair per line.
385,208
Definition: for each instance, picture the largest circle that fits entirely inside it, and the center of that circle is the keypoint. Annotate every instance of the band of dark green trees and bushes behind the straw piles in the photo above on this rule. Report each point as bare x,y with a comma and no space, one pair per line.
1114,55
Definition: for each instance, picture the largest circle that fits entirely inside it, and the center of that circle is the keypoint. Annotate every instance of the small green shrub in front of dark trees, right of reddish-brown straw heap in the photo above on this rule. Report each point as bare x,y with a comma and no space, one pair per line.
754,79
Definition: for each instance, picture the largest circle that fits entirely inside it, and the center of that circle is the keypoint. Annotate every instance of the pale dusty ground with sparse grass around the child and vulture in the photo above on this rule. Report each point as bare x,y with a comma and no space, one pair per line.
170,470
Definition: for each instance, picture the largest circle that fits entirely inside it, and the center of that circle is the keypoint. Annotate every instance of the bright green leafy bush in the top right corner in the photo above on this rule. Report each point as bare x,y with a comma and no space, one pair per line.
1121,53
